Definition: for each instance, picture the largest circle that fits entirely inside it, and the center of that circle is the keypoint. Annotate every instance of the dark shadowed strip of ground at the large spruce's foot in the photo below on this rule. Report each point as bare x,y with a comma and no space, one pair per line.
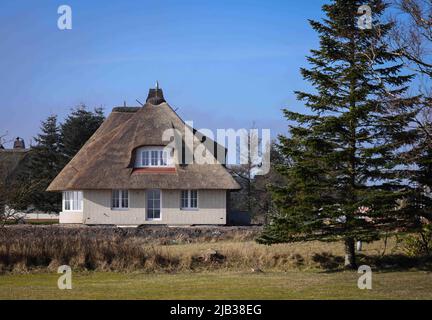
386,263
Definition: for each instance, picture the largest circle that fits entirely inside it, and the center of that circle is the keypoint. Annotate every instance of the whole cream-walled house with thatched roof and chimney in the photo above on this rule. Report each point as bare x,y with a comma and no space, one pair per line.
126,175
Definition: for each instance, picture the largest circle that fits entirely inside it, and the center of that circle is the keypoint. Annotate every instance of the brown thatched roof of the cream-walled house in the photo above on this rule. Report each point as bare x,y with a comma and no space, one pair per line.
106,160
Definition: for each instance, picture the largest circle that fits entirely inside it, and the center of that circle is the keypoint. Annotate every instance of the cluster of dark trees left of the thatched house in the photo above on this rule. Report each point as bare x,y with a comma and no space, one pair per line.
55,145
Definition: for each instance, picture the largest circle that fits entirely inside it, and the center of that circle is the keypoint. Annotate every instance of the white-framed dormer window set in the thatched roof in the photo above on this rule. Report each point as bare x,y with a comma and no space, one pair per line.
153,157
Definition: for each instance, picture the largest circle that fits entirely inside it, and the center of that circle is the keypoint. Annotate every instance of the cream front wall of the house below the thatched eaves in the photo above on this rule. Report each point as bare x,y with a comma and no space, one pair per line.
97,208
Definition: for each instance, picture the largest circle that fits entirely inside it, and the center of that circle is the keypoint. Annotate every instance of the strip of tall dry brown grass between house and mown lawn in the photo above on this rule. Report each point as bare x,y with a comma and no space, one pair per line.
169,250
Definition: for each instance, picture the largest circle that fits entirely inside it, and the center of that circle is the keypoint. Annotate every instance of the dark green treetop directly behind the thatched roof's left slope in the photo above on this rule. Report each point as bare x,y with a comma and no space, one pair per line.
78,127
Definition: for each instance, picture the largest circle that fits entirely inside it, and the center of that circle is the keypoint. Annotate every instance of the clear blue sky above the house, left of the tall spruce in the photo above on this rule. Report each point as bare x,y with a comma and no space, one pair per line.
224,64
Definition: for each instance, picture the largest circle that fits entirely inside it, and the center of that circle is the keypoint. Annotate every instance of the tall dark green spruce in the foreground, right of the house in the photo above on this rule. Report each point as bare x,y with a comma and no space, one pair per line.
344,174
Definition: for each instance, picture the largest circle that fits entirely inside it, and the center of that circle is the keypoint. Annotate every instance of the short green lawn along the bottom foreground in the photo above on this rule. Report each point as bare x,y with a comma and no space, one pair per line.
220,285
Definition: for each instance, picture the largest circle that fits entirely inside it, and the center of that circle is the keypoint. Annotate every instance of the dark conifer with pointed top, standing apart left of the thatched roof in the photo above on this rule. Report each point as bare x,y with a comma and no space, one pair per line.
44,165
